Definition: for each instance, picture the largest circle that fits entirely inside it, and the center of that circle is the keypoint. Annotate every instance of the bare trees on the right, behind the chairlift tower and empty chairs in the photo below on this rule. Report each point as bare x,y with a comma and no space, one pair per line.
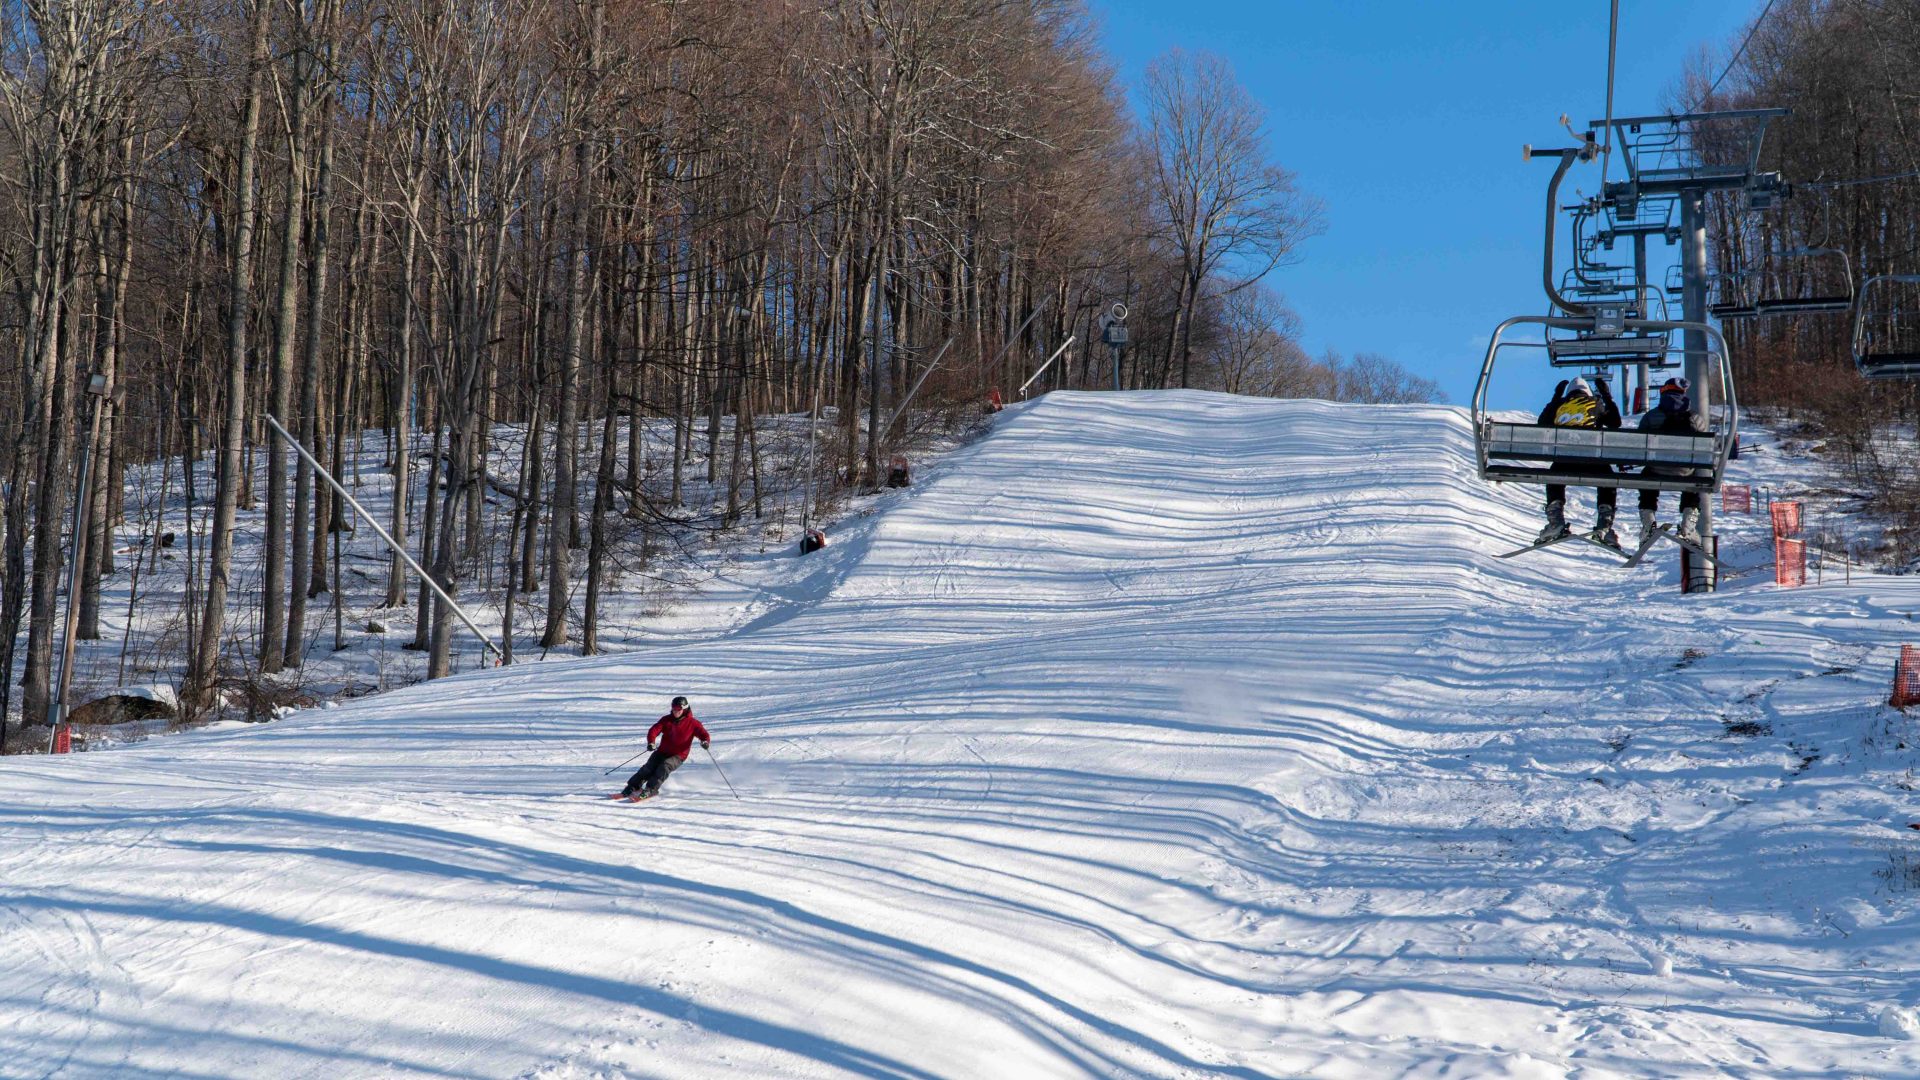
1850,72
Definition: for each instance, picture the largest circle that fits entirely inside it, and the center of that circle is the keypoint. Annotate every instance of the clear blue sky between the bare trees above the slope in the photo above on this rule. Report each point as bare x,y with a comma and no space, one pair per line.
1408,120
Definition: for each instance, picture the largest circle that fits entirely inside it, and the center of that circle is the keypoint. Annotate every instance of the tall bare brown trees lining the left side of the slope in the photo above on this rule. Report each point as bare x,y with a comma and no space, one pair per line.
569,216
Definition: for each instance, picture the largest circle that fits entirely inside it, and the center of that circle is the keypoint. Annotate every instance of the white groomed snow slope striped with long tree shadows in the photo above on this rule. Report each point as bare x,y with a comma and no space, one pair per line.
1155,735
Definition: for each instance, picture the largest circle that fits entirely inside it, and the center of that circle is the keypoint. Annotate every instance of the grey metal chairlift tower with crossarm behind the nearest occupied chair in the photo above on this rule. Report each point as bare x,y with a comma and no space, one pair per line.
1666,157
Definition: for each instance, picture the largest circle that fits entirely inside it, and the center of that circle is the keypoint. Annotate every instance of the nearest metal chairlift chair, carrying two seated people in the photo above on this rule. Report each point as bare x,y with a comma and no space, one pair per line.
1545,454
